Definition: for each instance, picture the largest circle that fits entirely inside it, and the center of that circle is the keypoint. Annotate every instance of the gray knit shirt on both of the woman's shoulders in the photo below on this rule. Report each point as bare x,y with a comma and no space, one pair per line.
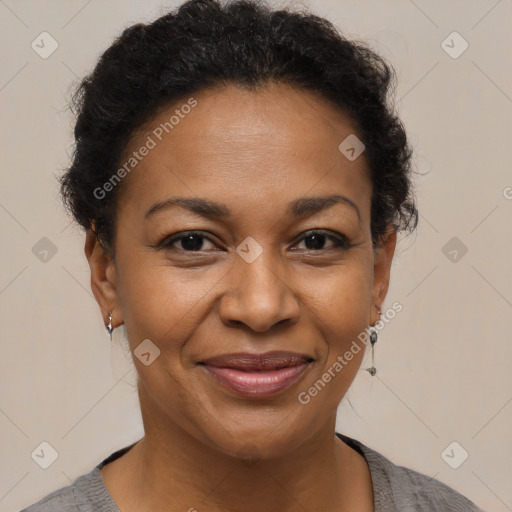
395,489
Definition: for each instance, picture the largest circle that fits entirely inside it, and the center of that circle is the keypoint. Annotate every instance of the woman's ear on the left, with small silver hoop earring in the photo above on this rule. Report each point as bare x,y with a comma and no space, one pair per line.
103,279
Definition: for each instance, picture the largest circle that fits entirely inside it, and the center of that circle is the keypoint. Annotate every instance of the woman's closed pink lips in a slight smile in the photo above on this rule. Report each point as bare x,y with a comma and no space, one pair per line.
257,375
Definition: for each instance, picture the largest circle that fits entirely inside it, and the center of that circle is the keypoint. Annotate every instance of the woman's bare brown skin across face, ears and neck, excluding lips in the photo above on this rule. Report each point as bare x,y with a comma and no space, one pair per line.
204,447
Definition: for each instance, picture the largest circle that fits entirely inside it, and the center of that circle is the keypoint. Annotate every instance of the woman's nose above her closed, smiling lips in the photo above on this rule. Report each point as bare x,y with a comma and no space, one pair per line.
260,295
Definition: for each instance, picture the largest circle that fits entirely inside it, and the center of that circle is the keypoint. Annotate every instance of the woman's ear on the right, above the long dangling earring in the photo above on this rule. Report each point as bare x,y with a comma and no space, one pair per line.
381,271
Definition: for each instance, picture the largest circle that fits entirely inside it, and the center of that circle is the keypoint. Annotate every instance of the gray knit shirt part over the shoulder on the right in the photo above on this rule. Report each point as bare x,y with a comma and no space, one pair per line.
398,488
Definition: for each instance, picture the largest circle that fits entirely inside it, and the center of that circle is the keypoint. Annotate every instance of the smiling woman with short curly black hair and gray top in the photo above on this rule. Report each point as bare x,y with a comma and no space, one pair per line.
265,138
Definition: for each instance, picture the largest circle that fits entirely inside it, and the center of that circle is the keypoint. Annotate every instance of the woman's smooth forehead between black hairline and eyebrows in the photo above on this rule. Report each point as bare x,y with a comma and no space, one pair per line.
245,148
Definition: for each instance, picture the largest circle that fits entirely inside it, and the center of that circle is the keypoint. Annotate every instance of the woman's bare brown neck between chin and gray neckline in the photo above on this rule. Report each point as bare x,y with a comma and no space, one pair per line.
171,470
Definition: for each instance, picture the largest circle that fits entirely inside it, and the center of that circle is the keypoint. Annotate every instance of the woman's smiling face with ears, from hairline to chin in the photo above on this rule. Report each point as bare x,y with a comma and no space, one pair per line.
264,169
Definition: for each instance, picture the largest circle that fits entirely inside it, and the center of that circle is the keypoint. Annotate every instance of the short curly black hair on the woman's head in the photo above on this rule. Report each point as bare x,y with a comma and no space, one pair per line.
204,44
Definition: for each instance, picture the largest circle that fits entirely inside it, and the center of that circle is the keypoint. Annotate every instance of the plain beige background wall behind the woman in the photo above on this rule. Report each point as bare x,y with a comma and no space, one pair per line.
444,362
